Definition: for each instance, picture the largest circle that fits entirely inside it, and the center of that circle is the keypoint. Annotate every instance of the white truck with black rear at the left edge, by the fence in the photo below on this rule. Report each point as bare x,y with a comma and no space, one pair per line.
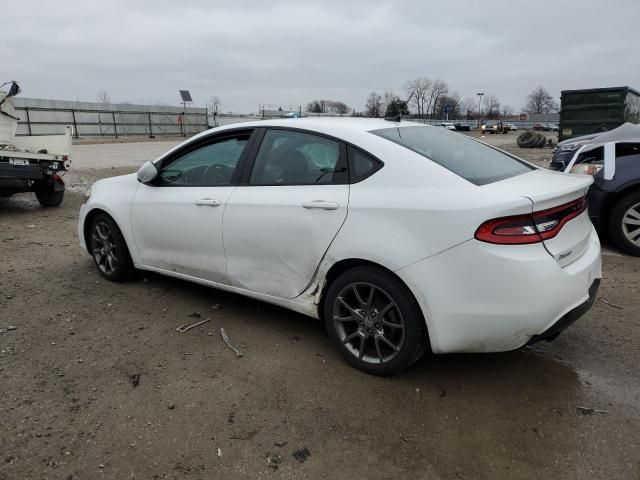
31,163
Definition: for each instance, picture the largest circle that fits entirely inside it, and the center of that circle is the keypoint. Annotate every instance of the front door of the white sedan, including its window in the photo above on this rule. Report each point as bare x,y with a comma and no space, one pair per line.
177,220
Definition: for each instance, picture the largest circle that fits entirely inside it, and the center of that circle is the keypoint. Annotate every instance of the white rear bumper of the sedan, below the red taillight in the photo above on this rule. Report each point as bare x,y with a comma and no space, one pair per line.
478,297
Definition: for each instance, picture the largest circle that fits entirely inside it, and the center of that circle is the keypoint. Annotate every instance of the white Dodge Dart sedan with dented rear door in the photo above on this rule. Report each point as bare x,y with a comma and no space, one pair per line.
401,237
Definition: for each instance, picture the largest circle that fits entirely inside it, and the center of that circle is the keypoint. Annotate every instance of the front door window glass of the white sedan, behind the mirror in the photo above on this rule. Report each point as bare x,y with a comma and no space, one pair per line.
209,165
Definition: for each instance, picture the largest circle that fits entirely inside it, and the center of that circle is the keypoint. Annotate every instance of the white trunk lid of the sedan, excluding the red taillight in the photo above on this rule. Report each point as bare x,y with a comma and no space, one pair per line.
547,190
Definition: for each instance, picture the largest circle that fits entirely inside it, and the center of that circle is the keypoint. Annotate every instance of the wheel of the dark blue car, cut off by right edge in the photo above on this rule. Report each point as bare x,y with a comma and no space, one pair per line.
626,236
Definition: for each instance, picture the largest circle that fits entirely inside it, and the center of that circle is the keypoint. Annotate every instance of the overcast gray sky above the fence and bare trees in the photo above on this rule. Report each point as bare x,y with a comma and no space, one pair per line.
289,52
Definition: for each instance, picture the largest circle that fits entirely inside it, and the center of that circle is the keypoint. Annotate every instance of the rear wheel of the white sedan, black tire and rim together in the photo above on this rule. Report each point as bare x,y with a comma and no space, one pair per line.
388,345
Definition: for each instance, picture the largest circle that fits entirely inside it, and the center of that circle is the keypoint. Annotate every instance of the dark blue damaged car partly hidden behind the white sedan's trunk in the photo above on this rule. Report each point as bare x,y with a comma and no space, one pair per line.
614,200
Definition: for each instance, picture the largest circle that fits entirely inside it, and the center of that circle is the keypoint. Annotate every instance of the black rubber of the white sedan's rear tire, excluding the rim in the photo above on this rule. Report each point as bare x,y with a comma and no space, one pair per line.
415,328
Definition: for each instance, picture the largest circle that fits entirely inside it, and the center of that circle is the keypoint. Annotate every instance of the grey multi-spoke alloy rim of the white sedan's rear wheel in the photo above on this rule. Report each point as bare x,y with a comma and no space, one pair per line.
369,323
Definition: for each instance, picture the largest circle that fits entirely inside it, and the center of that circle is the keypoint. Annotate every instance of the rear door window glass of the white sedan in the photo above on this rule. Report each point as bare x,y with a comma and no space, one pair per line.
295,158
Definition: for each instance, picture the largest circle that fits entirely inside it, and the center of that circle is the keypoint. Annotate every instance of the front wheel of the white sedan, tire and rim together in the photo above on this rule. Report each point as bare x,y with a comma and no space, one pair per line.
109,249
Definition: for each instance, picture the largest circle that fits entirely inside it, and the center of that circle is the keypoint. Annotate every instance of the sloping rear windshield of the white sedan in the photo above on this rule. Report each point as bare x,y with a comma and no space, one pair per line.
473,161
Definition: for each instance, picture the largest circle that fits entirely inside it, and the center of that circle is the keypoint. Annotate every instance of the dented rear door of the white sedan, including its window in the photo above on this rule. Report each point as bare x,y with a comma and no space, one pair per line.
280,222
